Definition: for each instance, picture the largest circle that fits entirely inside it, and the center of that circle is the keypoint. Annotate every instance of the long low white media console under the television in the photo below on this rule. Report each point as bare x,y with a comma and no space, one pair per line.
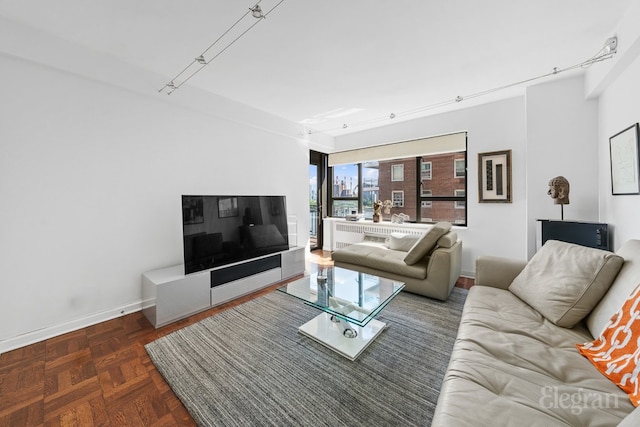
169,295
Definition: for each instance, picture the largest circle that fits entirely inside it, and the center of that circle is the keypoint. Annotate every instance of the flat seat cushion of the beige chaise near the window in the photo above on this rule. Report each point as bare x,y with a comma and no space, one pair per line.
380,258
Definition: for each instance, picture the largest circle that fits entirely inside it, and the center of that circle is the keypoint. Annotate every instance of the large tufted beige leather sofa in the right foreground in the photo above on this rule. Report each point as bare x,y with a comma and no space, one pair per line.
513,364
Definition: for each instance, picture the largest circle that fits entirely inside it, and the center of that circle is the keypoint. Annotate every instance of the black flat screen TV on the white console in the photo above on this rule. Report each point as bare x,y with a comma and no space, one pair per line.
220,230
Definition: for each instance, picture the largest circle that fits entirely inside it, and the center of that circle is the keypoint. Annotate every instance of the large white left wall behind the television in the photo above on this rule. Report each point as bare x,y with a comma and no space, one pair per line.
91,175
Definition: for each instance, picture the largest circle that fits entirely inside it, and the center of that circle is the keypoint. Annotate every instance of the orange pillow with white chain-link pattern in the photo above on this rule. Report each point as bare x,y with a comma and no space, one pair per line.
616,353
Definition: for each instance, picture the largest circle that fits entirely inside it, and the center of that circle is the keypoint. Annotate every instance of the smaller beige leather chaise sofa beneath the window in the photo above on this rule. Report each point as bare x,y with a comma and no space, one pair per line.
429,265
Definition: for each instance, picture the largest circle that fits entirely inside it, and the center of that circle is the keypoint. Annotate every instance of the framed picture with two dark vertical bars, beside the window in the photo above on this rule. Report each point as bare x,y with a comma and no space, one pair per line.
494,177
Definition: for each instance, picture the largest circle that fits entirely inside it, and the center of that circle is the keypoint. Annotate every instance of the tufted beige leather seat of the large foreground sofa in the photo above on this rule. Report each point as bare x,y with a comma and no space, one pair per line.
511,366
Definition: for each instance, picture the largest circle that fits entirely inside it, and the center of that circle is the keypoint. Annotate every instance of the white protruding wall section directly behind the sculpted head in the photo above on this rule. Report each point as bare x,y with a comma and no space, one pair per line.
562,139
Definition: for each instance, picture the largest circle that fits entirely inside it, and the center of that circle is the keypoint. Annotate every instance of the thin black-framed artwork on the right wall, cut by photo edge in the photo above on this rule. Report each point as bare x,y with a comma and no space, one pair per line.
625,162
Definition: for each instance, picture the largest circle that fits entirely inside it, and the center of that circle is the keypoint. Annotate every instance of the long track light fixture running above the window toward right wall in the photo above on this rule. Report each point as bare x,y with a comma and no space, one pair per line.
606,52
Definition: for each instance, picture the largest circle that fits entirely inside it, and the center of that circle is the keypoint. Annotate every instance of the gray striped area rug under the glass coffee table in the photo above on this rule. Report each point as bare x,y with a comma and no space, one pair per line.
249,366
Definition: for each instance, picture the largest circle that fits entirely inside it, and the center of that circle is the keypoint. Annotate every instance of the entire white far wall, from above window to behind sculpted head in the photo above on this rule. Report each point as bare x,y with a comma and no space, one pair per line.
551,131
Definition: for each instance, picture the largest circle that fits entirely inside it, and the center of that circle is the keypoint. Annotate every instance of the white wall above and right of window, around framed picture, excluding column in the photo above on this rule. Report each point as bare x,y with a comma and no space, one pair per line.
493,228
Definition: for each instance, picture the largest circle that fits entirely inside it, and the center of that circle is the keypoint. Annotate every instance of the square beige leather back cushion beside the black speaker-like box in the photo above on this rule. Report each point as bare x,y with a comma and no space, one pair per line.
564,281
